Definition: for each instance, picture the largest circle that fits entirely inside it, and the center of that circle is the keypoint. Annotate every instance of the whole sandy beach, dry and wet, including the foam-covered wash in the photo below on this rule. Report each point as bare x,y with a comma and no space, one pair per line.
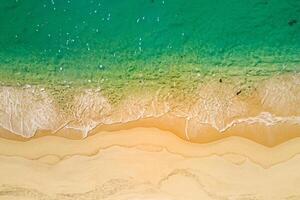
143,149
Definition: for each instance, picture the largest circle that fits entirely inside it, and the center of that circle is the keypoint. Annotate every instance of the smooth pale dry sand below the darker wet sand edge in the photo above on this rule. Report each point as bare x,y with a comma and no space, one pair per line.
147,163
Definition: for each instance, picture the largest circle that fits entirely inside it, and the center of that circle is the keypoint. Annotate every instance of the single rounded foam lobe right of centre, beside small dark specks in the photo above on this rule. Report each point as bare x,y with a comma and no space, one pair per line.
217,106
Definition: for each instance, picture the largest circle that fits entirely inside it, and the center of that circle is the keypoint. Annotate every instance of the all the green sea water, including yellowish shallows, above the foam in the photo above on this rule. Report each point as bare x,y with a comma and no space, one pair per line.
113,43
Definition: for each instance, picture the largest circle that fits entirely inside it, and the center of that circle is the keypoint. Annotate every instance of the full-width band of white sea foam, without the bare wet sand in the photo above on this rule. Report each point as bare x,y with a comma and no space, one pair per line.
26,110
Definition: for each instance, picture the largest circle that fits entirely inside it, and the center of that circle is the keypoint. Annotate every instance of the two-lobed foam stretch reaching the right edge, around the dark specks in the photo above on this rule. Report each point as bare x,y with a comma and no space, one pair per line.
221,107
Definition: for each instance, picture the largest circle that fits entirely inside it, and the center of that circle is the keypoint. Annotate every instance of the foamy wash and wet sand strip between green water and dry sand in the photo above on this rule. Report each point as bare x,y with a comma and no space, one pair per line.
267,114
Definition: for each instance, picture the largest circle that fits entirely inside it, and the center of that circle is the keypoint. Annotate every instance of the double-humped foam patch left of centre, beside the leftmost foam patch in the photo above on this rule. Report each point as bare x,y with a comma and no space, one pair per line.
91,109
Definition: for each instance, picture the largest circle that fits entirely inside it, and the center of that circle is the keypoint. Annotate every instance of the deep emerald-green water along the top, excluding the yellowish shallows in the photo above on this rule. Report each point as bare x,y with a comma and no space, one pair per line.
152,26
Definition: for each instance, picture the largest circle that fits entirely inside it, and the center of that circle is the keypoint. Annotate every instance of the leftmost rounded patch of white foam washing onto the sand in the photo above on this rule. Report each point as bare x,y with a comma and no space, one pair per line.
26,110
